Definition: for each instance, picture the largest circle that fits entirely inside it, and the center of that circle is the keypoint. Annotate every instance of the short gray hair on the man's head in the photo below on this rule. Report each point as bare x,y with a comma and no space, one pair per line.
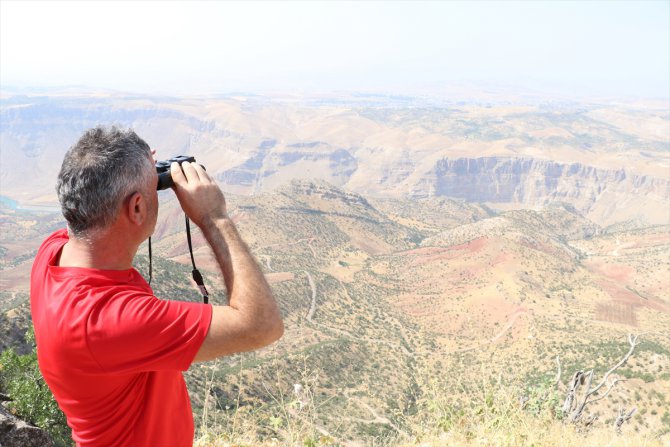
98,173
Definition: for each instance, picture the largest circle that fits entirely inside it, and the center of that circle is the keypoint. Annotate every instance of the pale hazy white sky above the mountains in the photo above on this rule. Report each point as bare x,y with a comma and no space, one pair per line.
614,48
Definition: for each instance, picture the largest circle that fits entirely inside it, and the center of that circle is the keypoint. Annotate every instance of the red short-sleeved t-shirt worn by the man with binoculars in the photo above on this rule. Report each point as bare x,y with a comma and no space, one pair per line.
112,353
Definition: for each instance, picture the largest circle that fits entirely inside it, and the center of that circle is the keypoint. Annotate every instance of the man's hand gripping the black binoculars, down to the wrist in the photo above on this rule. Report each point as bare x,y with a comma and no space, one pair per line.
199,195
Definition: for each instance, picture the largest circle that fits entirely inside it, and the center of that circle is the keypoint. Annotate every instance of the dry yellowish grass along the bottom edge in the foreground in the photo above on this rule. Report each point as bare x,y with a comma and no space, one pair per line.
492,417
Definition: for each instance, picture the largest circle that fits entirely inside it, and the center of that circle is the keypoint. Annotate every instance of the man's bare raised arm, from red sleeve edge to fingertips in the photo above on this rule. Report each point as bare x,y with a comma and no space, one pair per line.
252,318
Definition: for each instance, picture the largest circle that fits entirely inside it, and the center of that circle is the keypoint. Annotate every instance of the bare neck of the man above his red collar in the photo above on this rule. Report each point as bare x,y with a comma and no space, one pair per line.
105,251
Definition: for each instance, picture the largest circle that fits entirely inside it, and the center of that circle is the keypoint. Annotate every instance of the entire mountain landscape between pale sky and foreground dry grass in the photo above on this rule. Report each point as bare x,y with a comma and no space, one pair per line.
416,246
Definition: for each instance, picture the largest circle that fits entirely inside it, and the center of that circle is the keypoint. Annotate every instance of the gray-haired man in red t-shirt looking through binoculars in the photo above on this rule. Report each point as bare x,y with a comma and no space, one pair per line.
111,352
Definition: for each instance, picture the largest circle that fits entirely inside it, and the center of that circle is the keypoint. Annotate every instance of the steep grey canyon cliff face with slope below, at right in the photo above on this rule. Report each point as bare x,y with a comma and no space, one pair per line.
600,194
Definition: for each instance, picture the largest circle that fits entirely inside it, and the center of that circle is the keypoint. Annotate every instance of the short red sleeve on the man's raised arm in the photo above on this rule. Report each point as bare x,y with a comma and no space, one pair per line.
137,332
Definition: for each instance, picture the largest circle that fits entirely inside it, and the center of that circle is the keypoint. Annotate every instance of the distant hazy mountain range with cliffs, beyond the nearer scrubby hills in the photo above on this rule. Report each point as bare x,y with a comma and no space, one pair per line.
609,161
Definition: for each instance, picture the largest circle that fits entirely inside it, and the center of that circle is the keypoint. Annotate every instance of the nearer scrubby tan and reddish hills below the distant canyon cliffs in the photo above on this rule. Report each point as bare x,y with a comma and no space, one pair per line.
386,299
